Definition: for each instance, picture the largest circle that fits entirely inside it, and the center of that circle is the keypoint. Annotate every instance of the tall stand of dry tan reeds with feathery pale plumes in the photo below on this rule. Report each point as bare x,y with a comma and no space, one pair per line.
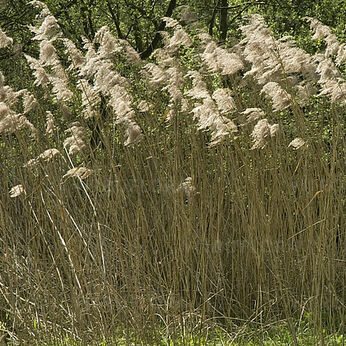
190,195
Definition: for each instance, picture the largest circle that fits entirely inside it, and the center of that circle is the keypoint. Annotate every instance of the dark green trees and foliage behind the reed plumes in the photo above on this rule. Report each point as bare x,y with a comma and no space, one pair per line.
138,21
